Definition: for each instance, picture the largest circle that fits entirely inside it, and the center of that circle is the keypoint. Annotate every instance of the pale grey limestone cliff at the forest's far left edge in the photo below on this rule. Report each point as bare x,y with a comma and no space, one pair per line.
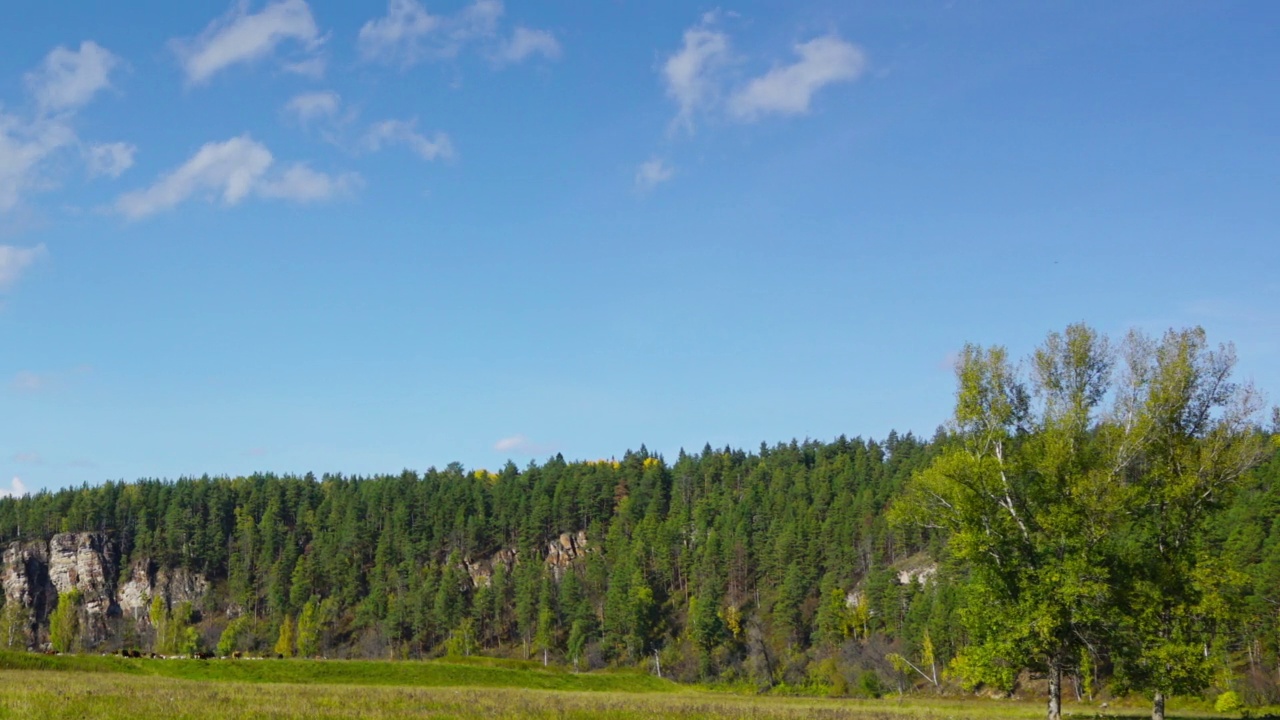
35,573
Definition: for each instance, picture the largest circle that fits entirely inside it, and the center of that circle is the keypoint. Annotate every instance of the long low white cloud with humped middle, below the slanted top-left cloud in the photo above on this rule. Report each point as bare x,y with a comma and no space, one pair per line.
232,171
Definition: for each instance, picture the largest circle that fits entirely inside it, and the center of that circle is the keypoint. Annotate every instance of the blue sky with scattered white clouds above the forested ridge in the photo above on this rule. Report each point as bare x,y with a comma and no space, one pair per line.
351,238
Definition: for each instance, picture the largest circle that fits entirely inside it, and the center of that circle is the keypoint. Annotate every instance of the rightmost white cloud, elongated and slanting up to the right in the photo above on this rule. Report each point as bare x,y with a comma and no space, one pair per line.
788,90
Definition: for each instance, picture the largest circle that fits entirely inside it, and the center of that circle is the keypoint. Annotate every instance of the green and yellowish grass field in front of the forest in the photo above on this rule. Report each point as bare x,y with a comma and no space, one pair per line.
66,687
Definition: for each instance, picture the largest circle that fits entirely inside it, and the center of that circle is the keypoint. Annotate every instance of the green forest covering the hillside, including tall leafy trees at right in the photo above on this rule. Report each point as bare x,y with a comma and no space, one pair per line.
1099,520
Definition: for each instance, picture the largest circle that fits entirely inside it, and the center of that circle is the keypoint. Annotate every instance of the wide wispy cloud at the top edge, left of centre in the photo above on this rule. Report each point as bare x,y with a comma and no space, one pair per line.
409,35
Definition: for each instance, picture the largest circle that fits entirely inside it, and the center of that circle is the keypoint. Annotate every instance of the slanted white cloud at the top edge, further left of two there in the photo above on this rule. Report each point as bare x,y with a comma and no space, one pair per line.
241,37
